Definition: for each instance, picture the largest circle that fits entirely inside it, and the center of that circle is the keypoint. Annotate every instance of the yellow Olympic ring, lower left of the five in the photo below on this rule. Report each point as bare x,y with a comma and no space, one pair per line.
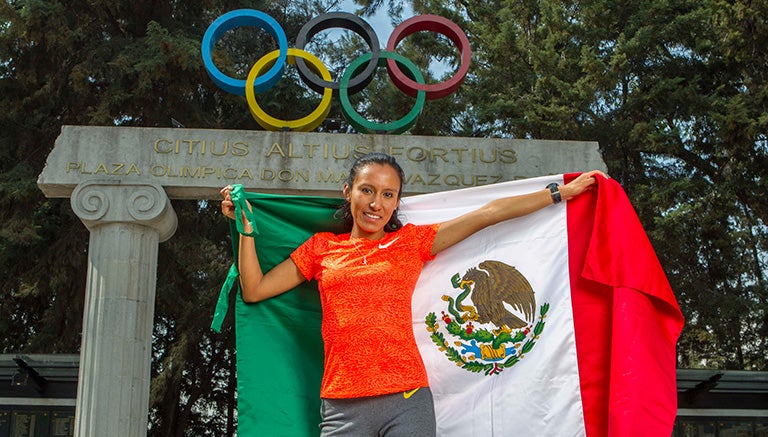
304,124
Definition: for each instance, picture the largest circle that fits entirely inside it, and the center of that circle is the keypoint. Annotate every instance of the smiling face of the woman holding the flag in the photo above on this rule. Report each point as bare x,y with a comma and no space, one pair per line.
373,197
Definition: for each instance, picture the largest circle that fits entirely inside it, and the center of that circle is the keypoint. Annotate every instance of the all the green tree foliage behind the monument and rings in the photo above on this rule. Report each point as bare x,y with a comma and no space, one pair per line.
674,91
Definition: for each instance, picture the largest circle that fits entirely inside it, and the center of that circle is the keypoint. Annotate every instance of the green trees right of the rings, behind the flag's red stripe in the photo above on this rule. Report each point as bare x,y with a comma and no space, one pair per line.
675,93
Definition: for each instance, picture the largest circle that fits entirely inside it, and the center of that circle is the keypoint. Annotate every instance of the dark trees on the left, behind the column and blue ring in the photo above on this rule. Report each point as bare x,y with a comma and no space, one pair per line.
131,64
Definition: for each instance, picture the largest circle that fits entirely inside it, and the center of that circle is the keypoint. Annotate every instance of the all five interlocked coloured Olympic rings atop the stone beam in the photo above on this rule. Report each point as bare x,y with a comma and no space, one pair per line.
316,76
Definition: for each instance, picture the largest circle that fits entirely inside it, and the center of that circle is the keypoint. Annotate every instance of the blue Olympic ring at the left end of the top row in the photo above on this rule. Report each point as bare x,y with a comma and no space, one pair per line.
239,18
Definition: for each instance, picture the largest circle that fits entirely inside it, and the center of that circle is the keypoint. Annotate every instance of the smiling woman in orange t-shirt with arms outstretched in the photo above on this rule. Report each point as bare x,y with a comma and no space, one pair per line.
374,382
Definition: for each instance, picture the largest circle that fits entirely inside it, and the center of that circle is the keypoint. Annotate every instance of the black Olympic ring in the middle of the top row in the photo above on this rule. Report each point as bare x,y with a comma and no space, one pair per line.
343,20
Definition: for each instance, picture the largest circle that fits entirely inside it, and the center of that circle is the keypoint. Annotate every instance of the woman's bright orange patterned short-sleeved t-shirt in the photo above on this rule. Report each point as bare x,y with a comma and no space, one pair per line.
365,290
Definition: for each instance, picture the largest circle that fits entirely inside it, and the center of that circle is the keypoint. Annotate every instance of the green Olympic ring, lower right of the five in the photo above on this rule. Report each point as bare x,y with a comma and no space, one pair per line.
369,127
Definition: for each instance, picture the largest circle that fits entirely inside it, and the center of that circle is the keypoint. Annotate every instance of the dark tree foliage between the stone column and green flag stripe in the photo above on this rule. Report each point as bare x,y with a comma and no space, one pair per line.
191,363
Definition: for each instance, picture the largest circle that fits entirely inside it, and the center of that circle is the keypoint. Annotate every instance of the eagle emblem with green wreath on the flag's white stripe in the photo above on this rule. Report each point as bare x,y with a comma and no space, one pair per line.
490,285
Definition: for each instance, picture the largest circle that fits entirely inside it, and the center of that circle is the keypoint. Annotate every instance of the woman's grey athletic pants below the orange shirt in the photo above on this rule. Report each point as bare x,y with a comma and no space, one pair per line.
409,414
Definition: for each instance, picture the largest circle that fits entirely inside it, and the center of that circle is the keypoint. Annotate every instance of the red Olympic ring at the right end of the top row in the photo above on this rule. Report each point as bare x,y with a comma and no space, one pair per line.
443,26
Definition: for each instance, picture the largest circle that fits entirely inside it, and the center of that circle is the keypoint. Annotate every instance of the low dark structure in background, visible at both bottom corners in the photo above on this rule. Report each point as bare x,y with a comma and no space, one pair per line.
38,392
